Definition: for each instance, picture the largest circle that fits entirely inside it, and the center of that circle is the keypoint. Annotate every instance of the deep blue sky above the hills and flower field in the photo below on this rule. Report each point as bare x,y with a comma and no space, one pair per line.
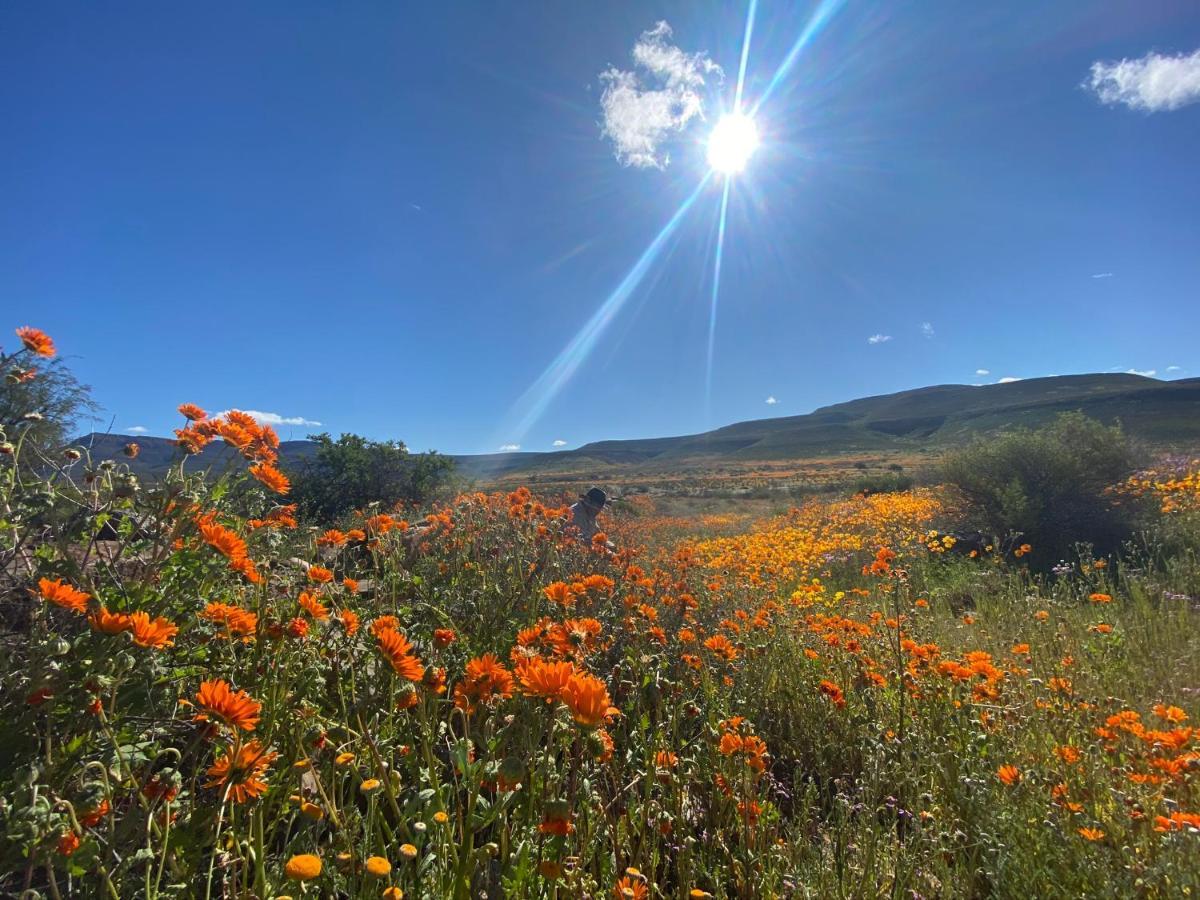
392,219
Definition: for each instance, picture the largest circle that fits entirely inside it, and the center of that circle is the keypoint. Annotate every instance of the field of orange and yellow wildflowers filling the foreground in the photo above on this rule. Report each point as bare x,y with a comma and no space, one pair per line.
206,698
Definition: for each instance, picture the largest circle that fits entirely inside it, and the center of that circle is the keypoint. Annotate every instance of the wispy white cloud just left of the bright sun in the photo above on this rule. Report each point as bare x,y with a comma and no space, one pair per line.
640,113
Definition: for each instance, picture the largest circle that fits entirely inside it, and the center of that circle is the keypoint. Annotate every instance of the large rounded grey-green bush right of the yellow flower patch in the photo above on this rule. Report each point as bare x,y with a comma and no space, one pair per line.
1051,485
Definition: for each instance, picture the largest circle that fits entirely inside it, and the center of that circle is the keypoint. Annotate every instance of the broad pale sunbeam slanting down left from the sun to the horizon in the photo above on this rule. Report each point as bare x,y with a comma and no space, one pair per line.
539,395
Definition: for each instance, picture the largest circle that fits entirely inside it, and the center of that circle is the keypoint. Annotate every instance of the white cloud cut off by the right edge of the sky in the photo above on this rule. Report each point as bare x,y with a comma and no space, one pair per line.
1153,83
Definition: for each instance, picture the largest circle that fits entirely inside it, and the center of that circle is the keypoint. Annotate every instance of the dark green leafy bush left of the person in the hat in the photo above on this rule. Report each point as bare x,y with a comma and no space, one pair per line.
353,472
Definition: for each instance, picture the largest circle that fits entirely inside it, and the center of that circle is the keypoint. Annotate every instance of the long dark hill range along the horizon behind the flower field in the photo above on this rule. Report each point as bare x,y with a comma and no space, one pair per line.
1161,413
